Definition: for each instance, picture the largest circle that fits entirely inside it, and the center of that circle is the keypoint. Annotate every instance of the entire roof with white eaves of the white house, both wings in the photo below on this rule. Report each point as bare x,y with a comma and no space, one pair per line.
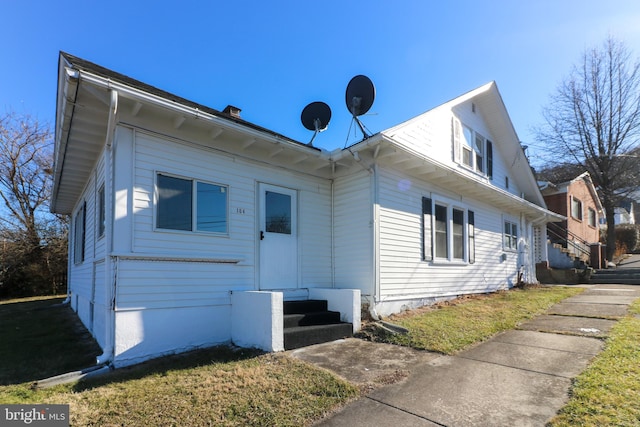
90,99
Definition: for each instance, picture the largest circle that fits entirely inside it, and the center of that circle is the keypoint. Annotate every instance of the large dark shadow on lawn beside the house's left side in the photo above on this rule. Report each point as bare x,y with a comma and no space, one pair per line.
42,338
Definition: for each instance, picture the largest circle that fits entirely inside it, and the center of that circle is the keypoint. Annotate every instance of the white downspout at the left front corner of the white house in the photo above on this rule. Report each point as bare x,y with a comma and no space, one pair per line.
110,278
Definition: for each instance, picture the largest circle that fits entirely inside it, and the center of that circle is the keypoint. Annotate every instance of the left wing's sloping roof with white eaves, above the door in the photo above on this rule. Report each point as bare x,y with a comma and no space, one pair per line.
89,100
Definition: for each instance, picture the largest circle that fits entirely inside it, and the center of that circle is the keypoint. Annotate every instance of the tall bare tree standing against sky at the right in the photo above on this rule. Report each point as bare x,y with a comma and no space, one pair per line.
593,120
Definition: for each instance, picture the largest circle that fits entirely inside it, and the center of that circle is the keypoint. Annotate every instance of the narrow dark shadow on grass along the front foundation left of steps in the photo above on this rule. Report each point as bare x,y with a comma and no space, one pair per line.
178,362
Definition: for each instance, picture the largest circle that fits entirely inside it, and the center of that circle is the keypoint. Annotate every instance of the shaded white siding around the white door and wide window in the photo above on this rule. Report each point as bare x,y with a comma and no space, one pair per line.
205,280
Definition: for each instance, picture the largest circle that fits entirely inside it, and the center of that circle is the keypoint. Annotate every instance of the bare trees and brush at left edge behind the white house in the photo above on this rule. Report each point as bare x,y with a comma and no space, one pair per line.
32,257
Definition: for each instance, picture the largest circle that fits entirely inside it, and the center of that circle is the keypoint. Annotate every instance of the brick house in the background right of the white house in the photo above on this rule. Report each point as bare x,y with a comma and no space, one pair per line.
577,200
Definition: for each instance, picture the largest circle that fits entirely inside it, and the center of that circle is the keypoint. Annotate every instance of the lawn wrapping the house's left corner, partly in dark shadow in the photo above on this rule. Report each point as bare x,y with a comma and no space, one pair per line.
216,386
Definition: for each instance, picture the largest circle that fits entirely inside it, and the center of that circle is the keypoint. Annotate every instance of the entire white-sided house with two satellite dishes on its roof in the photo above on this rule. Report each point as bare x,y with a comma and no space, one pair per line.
190,226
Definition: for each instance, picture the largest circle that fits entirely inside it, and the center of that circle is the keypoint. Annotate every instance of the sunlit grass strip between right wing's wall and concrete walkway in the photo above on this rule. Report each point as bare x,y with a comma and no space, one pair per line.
450,327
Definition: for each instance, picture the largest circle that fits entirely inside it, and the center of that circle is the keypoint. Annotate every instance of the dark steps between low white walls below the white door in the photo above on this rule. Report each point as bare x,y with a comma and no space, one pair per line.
310,322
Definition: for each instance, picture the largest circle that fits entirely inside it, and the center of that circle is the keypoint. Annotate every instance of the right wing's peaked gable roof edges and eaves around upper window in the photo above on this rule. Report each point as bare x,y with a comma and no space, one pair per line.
384,147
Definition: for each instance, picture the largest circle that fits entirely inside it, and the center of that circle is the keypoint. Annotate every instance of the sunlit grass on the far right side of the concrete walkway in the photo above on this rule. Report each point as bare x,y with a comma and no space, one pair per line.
607,393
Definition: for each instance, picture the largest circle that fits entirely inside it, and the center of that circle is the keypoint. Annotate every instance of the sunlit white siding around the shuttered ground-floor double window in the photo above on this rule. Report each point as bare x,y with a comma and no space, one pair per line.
403,272
